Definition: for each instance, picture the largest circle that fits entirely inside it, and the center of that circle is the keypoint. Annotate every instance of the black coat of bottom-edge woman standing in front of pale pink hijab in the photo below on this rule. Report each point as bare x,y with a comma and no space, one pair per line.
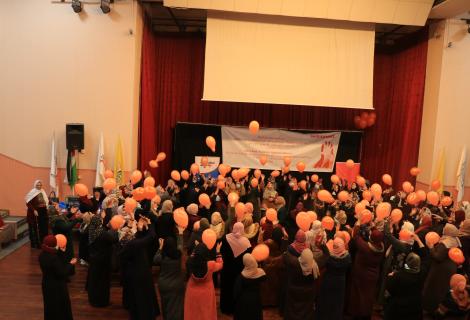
247,298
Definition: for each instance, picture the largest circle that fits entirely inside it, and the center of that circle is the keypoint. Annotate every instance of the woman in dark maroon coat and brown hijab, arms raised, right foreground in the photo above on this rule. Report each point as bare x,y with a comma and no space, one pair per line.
365,273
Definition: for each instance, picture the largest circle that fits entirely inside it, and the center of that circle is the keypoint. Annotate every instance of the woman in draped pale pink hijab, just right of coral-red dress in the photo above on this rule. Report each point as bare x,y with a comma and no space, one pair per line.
234,246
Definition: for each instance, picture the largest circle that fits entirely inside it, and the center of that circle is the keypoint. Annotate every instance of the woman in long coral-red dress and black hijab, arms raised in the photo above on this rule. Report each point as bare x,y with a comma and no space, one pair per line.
199,301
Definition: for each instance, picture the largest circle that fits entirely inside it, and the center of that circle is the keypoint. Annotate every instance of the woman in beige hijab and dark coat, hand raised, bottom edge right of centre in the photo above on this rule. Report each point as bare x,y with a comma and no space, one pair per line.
302,270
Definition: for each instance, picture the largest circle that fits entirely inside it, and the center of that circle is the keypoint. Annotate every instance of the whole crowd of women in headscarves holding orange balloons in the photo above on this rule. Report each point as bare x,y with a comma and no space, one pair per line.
363,251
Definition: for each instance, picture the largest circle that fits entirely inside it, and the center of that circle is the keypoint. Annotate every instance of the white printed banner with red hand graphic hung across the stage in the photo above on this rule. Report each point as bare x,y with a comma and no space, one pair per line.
242,149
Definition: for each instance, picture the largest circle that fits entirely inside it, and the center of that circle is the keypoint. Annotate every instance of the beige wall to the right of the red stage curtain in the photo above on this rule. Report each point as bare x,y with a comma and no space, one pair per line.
446,113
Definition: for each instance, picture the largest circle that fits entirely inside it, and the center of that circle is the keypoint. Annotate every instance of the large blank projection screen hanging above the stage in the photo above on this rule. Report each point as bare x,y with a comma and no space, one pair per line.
288,60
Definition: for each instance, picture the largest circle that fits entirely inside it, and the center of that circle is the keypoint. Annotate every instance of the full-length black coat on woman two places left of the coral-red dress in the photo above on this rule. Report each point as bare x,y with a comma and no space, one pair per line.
139,293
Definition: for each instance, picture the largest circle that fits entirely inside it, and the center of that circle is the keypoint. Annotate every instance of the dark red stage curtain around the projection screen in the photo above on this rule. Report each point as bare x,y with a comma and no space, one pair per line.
171,91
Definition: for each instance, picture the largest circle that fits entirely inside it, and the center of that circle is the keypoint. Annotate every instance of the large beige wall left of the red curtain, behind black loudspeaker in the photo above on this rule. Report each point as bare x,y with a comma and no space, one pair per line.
57,67
